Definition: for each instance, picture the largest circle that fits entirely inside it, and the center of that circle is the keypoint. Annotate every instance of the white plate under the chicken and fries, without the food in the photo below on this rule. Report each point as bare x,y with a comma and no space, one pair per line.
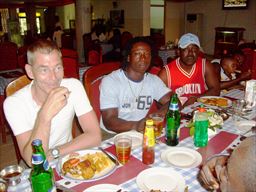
104,173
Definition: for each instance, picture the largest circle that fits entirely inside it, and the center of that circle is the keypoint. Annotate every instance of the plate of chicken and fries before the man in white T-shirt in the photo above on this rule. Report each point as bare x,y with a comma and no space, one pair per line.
85,165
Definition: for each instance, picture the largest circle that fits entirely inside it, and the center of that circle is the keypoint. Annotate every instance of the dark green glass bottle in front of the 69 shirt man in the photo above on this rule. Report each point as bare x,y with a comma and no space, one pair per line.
172,122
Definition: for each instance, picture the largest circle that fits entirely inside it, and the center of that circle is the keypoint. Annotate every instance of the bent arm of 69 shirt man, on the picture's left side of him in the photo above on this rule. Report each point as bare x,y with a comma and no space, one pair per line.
113,123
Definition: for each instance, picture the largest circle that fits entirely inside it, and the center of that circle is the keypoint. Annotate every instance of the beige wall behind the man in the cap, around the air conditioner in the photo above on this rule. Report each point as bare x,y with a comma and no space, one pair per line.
213,16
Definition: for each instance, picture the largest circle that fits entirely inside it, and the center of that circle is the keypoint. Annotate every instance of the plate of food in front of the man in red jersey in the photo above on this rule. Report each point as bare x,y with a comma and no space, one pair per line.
215,101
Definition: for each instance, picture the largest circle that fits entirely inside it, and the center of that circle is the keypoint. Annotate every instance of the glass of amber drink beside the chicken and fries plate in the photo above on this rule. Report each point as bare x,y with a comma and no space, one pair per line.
123,144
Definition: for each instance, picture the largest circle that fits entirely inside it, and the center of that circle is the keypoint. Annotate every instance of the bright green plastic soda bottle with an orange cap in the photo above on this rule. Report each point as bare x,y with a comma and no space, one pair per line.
201,127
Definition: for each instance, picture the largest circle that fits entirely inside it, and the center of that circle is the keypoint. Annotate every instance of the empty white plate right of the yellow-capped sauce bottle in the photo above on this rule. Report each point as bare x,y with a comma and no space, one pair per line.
181,157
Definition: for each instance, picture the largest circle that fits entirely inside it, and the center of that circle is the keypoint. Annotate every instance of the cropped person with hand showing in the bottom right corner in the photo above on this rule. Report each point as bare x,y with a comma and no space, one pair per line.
234,173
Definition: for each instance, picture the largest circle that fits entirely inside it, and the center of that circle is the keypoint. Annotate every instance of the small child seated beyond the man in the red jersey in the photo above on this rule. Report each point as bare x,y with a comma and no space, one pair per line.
227,72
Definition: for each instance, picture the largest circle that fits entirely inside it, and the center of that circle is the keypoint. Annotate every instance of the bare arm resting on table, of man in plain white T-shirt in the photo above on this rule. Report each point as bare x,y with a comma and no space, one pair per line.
90,137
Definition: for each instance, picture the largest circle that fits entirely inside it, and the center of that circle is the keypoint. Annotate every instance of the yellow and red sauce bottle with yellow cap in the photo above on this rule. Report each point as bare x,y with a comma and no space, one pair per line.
148,153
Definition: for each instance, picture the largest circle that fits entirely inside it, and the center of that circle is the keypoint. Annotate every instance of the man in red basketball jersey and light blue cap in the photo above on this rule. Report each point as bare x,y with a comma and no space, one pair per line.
190,76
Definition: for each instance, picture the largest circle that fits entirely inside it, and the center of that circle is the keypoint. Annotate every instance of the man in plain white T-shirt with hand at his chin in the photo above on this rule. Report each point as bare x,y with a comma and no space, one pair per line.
45,108
